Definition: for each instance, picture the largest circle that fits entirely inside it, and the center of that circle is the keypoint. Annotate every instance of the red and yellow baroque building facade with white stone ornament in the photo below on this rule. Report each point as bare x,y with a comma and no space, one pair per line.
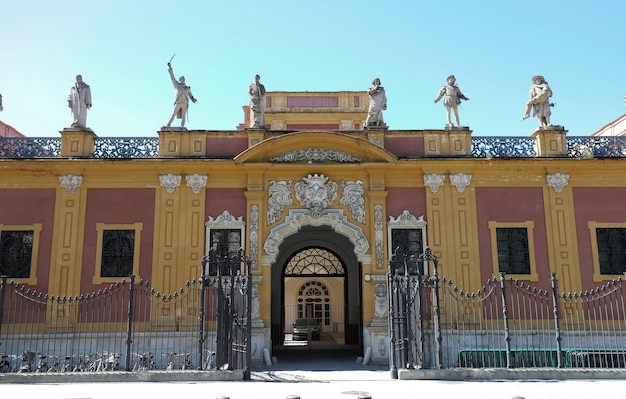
318,205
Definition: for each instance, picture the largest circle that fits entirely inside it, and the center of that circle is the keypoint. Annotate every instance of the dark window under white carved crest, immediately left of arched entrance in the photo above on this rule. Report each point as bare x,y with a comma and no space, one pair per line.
225,245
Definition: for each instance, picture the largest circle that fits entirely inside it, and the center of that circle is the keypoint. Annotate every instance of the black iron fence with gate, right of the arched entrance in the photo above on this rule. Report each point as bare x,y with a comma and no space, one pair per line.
507,324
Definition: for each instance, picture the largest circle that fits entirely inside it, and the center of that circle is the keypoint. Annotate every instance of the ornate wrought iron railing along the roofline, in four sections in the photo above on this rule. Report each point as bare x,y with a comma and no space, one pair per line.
583,147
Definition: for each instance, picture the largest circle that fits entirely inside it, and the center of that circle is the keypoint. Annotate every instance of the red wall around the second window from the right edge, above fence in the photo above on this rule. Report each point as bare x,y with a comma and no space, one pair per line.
512,204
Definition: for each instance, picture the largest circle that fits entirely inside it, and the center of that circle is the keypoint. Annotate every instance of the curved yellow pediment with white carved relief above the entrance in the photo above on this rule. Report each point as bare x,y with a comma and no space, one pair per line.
315,147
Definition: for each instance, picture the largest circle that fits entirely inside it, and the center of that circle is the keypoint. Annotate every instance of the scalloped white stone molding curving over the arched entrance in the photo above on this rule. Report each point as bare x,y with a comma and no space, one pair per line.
297,218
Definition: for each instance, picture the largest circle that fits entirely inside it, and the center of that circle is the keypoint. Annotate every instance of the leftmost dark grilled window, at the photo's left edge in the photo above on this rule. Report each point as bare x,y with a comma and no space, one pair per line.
16,250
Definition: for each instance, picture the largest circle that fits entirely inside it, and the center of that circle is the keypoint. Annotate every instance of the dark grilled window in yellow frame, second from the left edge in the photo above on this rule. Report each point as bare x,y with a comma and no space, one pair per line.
118,249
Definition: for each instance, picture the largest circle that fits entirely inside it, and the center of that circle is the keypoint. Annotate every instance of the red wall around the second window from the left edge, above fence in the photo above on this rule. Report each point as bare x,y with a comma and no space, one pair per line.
117,206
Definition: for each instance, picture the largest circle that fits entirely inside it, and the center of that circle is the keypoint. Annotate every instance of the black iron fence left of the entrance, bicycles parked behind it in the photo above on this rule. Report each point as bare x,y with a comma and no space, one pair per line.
126,326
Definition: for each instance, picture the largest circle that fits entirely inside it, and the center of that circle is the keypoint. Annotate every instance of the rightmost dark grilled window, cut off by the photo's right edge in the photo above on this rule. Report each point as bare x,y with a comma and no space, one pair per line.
611,250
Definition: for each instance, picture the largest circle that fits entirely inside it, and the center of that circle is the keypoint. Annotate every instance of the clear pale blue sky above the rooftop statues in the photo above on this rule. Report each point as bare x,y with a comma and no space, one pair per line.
121,47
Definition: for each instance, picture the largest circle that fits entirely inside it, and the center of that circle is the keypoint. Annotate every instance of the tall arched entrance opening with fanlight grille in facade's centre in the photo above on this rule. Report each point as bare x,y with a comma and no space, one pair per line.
316,277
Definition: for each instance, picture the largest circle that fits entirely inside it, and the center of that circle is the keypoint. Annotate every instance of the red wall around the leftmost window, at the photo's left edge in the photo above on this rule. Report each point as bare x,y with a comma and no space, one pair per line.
28,206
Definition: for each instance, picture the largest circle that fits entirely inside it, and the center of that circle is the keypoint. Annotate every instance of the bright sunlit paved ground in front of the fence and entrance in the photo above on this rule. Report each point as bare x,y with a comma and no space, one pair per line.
313,375
